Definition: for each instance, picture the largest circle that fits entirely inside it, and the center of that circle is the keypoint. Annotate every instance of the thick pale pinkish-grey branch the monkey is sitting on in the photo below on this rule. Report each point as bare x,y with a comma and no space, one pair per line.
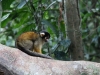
15,62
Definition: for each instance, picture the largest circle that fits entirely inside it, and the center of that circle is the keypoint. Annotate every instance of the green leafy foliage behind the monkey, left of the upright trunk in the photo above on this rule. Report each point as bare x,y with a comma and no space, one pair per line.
23,15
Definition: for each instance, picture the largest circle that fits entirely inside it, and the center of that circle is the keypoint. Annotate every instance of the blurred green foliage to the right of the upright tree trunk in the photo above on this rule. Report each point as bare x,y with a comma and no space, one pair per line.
90,14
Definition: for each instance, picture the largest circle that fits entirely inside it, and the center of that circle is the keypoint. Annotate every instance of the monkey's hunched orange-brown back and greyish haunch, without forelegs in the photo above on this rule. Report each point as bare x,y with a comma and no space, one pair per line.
26,40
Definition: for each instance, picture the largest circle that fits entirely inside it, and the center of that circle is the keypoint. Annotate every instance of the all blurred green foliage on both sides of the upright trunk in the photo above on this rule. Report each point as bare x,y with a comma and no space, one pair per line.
19,16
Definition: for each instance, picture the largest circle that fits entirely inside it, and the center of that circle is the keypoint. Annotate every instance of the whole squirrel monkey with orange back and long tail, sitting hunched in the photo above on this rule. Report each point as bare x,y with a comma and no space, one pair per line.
32,42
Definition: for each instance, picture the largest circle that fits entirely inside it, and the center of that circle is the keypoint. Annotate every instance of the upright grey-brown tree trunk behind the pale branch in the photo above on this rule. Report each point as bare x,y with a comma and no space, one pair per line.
73,27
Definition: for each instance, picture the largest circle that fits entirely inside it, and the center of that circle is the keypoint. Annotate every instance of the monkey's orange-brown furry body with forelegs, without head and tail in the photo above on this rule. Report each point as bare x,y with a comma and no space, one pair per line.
31,41
